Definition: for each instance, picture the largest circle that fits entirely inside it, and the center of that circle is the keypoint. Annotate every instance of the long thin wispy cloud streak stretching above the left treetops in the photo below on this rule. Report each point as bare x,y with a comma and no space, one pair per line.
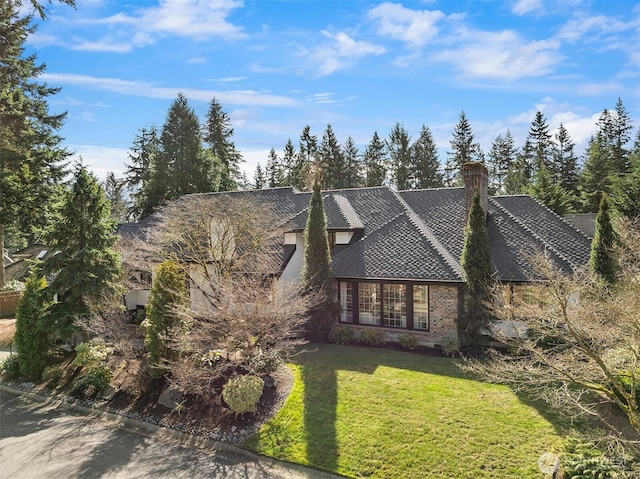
151,90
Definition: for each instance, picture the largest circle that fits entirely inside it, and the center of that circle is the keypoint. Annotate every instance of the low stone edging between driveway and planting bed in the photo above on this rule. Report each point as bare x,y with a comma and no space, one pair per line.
153,430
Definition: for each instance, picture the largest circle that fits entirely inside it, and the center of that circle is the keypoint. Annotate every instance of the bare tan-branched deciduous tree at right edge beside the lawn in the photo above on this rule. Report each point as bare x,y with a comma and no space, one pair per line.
581,353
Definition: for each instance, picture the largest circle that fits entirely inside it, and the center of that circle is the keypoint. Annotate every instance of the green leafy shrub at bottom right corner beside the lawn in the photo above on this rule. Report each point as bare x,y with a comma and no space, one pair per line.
584,461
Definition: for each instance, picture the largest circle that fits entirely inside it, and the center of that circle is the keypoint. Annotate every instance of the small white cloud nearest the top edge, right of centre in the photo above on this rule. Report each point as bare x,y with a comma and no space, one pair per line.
414,27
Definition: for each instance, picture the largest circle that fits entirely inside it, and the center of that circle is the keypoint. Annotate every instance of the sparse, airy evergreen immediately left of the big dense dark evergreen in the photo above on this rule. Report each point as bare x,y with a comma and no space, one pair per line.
143,154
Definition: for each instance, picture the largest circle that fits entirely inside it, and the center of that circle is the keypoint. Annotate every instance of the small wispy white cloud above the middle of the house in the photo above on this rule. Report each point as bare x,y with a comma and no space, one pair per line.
342,52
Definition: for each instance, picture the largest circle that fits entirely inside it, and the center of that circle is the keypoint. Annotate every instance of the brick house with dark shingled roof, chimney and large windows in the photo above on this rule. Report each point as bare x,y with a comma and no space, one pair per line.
396,254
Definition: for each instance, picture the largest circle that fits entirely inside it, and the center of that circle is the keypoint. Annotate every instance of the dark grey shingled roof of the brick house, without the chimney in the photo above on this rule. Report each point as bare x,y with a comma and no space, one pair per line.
419,234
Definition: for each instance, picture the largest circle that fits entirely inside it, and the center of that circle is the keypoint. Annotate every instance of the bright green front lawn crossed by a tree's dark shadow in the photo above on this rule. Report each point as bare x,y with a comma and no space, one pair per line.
364,412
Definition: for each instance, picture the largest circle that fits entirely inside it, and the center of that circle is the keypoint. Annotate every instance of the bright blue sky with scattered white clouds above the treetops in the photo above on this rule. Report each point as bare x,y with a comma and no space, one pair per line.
362,66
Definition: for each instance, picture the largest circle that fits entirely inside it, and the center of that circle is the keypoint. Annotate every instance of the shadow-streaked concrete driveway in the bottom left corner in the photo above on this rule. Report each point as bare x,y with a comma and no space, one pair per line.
48,440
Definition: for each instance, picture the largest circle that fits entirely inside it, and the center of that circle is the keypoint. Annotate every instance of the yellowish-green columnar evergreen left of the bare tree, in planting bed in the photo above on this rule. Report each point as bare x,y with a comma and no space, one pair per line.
168,292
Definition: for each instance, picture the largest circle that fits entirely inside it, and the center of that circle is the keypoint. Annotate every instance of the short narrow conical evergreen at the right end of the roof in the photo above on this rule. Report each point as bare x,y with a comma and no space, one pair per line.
602,261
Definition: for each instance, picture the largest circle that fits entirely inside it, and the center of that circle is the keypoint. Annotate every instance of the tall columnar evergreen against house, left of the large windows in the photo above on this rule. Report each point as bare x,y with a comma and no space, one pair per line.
316,269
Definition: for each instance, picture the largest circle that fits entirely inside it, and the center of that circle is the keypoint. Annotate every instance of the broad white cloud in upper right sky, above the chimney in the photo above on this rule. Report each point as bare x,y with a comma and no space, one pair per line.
501,56
